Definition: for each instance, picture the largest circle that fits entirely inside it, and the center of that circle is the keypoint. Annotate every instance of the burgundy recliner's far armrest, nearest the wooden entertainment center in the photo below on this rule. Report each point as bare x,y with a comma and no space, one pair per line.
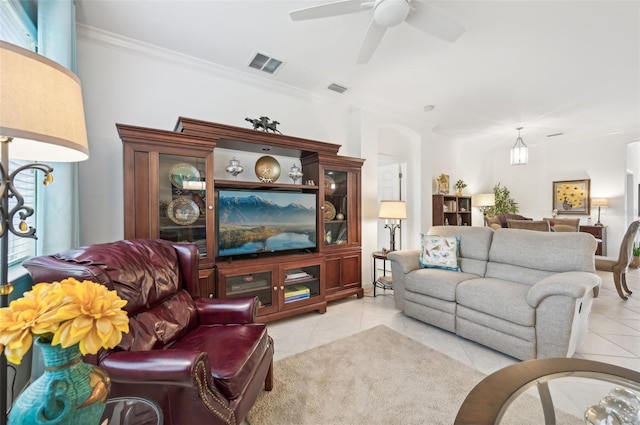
225,311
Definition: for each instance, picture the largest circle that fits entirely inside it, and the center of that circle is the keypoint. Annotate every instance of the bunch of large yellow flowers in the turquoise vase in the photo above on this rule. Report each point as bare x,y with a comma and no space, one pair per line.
68,312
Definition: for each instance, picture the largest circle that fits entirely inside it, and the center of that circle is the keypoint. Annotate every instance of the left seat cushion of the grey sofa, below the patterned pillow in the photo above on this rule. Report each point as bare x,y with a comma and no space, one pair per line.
435,283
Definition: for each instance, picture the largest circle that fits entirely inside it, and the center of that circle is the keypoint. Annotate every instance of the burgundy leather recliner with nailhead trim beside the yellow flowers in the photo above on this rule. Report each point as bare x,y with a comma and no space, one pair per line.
203,361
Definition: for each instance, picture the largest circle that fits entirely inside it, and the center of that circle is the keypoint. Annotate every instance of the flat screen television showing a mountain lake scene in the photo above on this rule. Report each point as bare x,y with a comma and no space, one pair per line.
251,222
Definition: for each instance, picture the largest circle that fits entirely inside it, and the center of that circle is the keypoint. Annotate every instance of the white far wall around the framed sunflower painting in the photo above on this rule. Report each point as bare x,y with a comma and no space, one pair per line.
603,161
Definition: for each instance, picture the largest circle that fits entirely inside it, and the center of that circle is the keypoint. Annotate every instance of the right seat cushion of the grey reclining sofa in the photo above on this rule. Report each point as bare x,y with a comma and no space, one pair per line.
499,298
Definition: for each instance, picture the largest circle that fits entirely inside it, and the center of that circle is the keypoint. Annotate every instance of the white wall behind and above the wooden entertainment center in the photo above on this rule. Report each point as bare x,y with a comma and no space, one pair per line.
130,83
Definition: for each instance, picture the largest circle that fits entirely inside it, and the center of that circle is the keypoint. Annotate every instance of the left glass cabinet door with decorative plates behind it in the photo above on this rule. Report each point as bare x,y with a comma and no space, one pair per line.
182,200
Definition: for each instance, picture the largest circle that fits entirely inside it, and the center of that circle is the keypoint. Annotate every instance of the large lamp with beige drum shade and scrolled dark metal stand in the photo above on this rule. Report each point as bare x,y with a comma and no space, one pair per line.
41,119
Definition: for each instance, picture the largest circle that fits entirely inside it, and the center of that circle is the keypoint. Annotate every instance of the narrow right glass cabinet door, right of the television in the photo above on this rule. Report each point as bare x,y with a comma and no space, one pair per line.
335,208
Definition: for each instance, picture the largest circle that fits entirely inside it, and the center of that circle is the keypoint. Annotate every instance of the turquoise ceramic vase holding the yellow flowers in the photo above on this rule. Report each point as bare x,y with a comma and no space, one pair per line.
70,391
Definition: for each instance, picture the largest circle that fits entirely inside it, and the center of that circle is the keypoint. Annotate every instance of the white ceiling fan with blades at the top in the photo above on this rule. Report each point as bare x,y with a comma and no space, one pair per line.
386,14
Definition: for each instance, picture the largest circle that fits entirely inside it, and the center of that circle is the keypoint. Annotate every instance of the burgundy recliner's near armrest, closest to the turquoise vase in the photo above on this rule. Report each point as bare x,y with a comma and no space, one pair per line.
162,367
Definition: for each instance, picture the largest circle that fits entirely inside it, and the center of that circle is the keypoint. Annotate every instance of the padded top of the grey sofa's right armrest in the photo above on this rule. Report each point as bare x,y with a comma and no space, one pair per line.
570,284
